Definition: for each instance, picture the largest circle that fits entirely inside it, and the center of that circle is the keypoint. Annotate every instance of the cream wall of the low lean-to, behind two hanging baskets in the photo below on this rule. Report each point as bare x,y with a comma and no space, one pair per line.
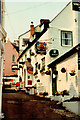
65,80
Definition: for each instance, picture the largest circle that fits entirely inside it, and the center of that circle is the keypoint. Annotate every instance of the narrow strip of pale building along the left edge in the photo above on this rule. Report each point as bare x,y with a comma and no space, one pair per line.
2,40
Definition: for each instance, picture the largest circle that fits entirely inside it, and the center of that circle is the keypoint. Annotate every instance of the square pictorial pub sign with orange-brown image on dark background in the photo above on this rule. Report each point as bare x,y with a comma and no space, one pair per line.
40,48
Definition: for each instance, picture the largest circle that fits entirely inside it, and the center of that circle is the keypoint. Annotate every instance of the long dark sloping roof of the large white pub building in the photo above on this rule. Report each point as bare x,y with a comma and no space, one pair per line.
32,43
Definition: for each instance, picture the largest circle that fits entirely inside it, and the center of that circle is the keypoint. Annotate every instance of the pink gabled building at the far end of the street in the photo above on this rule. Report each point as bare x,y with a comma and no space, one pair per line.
10,72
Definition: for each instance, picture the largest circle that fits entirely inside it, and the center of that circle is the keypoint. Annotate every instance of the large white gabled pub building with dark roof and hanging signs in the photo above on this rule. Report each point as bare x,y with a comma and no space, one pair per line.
61,35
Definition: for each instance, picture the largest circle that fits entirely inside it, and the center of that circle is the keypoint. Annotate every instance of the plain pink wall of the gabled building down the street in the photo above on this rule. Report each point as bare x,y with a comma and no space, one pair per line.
9,51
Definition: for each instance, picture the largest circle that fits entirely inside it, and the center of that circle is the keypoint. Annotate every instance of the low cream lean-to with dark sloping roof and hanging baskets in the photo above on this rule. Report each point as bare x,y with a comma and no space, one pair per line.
68,68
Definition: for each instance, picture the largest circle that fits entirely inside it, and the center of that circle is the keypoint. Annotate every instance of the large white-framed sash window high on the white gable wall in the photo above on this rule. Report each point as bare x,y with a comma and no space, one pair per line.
66,38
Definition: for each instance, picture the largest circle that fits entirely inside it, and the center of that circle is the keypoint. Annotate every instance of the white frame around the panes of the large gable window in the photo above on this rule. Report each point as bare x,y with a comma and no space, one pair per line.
71,39
